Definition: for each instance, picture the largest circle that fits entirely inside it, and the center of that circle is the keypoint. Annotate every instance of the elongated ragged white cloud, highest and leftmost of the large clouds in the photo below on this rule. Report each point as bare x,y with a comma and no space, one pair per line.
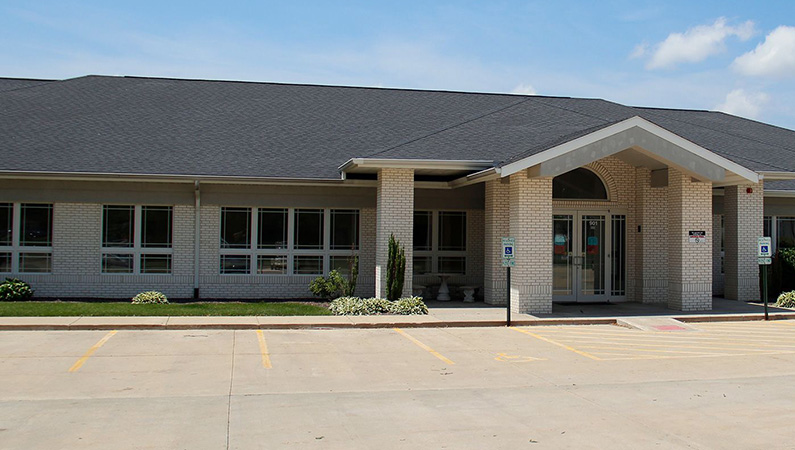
697,43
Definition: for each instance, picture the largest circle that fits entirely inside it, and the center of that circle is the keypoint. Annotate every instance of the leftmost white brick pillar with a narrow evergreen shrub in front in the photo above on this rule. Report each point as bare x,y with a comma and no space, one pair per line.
394,215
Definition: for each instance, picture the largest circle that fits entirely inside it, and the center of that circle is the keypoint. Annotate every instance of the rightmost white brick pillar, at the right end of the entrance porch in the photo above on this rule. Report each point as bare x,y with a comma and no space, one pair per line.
743,221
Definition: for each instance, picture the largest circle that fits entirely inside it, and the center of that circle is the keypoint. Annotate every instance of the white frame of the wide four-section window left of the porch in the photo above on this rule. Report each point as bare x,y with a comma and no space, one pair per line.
253,253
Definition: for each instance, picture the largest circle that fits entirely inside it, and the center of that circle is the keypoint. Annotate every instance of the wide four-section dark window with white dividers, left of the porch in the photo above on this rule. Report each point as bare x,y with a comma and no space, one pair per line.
280,241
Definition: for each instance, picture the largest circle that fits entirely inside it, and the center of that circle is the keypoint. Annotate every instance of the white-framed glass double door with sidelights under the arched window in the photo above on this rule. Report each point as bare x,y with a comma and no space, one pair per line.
588,257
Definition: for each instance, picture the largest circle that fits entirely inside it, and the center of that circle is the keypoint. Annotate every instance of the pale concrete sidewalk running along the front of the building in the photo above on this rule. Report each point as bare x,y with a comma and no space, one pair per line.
448,314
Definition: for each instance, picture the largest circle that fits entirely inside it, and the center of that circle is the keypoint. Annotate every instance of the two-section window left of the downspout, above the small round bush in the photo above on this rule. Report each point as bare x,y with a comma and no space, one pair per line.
137,239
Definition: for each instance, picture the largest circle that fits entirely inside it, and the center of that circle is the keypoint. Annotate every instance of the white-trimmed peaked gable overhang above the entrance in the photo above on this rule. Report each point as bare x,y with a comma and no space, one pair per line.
642,136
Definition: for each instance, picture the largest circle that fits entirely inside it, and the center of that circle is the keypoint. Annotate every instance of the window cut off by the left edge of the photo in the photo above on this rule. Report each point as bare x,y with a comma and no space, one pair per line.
25,238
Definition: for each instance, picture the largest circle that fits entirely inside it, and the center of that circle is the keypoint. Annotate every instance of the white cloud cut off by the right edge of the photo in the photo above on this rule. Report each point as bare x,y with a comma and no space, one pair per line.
775,57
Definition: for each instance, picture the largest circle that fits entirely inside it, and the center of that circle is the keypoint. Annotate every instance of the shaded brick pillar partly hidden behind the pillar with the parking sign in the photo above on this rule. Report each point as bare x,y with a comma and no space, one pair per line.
497,226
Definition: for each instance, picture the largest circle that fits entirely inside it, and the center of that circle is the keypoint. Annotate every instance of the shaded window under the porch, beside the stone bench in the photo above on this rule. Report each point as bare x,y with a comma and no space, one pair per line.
440,239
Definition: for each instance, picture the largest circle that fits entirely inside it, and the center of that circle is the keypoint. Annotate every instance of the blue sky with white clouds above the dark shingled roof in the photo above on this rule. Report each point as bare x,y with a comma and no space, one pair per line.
732,56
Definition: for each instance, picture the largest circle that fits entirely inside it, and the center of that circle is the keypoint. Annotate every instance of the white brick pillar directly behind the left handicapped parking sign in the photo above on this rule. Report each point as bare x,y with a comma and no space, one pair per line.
531,225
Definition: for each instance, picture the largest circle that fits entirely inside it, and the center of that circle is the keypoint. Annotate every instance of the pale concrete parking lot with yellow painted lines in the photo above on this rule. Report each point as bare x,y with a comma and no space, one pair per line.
727,385
